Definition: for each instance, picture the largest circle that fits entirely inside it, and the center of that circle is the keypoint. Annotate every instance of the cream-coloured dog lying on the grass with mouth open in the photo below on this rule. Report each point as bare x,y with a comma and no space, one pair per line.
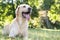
19,25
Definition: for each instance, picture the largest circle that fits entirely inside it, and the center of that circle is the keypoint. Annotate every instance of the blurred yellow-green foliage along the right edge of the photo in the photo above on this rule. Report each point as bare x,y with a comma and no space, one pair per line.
54,14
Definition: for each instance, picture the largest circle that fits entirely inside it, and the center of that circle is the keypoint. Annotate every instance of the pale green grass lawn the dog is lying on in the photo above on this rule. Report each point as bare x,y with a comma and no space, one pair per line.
38,34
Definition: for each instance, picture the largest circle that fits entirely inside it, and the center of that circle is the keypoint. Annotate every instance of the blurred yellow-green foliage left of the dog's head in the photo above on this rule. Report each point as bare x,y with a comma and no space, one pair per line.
6,13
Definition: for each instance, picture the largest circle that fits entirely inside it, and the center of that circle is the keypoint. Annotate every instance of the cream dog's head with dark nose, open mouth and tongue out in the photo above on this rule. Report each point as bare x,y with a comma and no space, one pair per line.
23,11
